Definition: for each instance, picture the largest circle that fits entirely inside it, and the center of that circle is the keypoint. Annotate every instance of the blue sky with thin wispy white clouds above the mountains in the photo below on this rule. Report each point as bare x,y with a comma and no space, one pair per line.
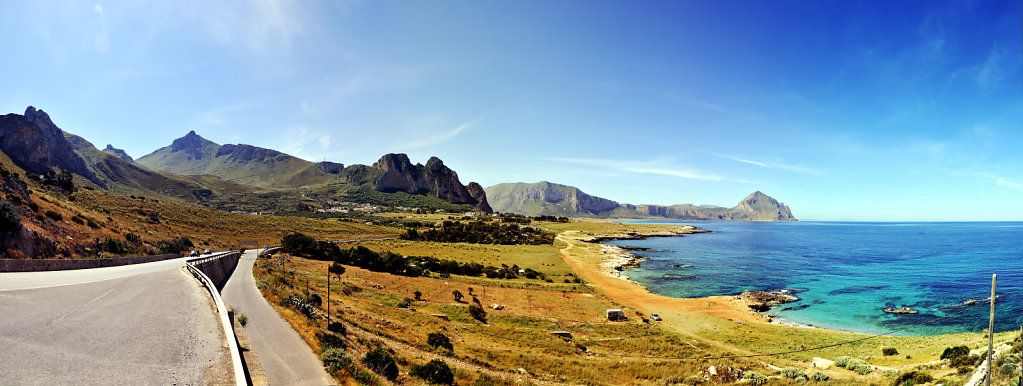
863,111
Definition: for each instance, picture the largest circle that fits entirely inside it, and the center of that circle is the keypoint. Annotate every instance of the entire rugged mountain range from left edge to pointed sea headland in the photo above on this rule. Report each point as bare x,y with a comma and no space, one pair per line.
194,170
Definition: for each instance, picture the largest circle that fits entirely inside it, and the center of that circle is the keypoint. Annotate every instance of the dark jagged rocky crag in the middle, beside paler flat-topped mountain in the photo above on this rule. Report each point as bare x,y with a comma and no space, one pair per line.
398,175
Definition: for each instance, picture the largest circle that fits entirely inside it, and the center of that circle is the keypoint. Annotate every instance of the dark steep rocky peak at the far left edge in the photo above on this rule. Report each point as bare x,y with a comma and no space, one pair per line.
36,145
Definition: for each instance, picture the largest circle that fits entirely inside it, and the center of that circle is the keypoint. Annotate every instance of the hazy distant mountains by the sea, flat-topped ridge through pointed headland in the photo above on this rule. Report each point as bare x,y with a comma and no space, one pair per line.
557,200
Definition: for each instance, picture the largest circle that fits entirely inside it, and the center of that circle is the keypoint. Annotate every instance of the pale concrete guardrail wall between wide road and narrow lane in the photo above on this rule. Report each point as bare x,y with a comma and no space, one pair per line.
226,319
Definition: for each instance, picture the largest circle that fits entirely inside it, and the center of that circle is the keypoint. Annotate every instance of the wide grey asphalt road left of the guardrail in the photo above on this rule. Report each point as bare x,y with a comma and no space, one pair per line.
145,324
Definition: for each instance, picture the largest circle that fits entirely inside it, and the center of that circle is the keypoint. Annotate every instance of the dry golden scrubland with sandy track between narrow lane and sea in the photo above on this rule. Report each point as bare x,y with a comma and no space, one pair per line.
516,345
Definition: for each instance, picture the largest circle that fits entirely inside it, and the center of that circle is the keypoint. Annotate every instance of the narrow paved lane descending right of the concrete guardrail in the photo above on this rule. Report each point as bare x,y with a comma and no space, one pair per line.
285,357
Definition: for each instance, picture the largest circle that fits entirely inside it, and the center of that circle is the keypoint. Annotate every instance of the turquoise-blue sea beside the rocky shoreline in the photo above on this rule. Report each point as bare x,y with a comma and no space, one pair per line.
849,272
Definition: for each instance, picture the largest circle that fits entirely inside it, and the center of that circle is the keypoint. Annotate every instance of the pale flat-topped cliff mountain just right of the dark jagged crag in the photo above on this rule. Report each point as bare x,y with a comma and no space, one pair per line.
548,199
